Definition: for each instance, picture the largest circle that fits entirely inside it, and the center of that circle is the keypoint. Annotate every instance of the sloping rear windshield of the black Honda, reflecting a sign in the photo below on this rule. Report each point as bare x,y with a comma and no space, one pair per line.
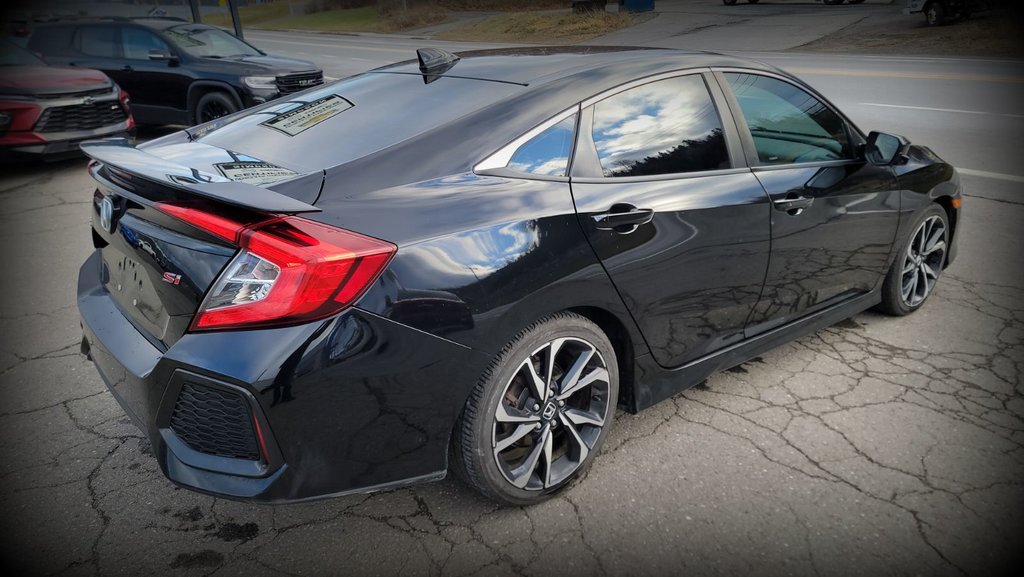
347,120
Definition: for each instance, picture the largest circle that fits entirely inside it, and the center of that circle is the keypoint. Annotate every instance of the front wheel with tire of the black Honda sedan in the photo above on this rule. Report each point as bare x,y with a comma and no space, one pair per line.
921,260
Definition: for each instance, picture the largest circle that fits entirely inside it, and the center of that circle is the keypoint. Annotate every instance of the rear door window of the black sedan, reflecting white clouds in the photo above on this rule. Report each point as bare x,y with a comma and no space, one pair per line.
664,128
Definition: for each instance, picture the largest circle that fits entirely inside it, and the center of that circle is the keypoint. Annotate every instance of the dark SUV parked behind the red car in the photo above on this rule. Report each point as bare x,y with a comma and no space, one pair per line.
177,72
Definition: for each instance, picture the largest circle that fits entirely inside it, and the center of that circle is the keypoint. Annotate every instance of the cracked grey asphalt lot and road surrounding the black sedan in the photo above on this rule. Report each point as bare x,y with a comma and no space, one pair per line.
879,446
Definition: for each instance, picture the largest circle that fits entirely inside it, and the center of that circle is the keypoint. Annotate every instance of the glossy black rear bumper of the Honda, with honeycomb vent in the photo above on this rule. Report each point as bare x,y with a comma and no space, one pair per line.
353,404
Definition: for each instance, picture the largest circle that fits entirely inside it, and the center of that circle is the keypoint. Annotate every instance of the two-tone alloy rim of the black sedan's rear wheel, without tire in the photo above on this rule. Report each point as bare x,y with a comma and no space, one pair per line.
551,415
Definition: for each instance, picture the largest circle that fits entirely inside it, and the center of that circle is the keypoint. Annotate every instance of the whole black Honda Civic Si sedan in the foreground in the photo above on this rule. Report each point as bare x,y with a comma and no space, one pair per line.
471,263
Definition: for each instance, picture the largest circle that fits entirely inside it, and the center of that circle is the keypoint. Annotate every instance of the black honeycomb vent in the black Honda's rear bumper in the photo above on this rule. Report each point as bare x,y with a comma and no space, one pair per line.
216,423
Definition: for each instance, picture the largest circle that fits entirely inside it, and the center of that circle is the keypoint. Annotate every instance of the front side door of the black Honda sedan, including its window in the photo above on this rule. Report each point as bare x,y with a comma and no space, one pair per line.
834,216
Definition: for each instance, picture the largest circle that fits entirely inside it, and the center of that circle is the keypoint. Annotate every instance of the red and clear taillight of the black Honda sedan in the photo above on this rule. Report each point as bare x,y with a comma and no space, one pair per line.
290,271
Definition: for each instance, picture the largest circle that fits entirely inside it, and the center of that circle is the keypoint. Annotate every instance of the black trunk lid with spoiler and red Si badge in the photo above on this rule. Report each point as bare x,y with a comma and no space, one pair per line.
158,269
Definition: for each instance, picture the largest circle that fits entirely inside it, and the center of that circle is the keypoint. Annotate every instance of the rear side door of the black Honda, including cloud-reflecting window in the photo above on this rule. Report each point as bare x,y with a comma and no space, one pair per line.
678,221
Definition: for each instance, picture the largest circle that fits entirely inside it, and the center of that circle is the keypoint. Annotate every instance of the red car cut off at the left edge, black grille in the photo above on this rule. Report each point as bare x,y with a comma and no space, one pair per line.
47,112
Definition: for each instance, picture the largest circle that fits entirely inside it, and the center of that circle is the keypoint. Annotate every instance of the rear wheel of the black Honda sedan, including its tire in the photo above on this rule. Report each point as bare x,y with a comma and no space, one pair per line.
543,454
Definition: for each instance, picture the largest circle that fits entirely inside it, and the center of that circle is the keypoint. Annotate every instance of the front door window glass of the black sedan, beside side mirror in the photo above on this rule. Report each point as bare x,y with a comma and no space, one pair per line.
788,125
